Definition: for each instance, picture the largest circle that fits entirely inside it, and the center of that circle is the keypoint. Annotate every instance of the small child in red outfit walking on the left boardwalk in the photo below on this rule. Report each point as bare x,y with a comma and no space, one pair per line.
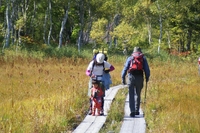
96,97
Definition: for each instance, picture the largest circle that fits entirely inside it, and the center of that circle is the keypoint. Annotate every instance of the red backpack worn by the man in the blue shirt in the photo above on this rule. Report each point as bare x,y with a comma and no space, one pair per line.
136,62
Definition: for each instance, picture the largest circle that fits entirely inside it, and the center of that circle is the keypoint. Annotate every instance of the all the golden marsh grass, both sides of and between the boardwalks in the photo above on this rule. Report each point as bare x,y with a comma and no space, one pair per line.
50,95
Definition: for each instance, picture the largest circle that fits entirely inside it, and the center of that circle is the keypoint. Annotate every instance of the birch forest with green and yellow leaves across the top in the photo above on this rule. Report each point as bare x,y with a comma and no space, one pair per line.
120,24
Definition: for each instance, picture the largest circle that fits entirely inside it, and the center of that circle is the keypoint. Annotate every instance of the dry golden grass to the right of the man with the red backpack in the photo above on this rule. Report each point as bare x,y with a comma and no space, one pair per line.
173,98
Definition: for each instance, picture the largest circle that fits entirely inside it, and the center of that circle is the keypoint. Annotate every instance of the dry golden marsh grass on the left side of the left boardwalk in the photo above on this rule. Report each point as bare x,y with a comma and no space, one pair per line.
43,96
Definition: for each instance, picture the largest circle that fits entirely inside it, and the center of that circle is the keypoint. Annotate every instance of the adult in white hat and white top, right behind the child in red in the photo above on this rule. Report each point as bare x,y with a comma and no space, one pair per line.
95,70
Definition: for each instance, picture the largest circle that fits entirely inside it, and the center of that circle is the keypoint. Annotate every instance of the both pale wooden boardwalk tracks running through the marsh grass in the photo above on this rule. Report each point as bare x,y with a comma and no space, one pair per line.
93,124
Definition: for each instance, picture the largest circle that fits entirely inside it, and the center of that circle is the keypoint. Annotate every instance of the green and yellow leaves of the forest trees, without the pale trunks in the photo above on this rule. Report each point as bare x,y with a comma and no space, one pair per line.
136,19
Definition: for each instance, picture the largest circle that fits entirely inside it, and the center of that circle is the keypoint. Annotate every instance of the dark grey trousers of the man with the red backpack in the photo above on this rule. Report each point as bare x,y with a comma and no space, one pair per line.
135,85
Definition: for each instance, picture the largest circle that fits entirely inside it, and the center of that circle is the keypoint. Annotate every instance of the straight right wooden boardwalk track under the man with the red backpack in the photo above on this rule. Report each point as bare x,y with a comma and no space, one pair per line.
132,125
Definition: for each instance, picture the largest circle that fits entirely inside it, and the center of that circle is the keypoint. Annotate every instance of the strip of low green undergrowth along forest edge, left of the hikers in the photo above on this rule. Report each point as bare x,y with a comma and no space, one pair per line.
45,52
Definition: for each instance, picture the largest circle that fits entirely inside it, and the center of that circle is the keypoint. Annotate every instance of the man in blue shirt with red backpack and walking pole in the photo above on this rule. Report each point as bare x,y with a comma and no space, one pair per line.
135,78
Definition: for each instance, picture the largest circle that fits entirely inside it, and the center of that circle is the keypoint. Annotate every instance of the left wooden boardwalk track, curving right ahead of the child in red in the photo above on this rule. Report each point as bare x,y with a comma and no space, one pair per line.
92,124
